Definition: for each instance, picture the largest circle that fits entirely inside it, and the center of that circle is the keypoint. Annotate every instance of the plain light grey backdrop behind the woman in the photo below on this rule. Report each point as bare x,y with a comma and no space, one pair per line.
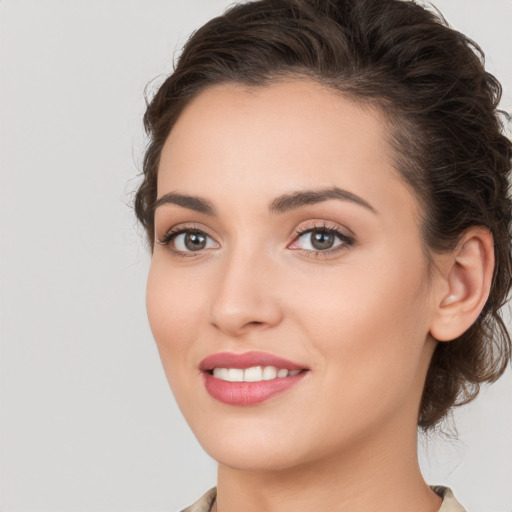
87,420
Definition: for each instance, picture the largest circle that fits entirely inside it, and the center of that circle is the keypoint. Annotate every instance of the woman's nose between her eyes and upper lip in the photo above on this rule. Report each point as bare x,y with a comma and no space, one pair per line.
244,298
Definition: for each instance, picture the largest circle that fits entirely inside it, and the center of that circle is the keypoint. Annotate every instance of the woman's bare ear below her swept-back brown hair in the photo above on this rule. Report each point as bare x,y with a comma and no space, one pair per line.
465,281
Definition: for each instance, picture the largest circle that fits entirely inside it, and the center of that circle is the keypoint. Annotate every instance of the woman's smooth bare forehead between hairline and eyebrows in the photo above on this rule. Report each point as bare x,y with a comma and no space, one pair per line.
268,140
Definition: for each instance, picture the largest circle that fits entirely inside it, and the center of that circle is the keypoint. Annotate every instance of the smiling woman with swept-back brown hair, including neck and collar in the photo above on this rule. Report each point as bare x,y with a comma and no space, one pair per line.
325,196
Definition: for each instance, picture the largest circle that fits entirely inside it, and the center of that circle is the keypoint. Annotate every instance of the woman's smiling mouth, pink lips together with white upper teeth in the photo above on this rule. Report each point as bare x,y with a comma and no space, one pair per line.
249,378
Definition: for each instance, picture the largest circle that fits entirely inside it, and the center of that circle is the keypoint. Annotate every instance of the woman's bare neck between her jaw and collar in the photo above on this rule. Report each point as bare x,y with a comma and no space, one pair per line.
378,475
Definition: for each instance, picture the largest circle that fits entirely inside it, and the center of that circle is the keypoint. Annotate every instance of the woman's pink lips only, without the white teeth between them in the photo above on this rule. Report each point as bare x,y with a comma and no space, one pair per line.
247,393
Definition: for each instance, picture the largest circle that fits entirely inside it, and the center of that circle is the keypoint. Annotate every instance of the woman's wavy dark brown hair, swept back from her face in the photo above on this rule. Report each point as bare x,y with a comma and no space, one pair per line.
430,82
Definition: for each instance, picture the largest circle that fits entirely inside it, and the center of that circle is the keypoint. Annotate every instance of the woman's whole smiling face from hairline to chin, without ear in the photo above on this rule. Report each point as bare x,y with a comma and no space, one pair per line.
288,242
